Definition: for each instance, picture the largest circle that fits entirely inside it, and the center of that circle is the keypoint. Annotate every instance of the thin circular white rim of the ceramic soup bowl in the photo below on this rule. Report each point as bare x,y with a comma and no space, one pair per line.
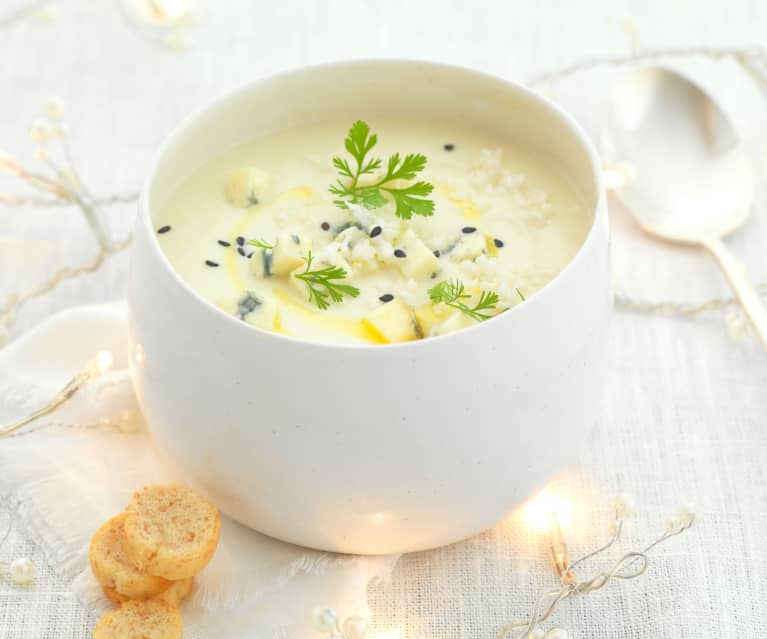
598,211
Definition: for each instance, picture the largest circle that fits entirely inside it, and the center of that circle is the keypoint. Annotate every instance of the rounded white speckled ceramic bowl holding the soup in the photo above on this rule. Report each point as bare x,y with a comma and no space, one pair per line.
370,449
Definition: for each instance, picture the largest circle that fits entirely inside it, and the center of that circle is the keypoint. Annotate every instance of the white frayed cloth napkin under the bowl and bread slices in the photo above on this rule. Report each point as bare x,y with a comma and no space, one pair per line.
75,469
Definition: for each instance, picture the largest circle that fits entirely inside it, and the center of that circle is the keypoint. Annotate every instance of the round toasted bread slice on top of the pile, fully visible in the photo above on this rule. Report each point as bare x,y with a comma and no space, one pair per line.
171,531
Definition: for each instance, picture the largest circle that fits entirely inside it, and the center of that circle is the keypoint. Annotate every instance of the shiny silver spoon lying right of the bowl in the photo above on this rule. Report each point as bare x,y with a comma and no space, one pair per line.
693,183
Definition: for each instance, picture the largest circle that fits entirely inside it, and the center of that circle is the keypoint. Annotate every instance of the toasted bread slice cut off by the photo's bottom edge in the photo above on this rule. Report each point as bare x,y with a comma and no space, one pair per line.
140,619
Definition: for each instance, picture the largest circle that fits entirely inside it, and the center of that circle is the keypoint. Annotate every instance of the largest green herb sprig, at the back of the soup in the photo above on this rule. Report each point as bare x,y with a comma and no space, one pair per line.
409,200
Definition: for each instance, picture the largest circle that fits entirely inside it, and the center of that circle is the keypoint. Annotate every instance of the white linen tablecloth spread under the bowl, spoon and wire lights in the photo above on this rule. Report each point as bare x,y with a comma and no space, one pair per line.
685,404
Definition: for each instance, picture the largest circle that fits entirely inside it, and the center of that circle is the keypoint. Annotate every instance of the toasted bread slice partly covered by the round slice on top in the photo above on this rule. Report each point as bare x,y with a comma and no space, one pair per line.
113,568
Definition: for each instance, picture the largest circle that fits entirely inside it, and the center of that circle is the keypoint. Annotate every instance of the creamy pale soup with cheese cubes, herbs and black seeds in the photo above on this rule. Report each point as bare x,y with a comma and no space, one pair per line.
465,233
